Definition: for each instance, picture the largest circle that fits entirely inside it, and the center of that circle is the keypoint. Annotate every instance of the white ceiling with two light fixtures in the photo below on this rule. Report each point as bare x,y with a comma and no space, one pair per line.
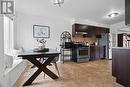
94,10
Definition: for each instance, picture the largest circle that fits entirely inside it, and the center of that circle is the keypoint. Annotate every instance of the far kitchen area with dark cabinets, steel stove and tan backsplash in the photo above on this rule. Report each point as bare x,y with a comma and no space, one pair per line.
88,43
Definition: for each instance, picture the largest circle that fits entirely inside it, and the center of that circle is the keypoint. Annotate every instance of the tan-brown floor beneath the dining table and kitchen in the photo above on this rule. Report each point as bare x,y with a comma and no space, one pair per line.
89,74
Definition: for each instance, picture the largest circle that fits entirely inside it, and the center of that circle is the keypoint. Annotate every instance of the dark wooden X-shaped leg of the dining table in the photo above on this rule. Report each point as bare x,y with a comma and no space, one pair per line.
41,67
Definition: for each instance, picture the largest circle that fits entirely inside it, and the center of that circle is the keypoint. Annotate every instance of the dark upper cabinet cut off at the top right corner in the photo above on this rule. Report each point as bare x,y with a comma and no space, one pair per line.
127,12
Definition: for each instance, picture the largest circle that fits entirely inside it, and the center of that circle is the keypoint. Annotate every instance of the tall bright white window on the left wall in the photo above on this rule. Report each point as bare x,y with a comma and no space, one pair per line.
8,42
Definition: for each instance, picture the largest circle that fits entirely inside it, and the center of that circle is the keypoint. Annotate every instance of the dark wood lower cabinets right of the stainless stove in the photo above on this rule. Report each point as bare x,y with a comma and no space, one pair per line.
97,52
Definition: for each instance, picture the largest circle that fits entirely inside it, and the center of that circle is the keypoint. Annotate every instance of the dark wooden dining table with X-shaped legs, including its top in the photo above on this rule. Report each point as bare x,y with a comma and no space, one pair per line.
42,67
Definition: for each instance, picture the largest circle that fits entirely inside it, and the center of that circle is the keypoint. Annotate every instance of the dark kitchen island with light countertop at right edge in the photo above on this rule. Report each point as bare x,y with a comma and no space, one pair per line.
121,64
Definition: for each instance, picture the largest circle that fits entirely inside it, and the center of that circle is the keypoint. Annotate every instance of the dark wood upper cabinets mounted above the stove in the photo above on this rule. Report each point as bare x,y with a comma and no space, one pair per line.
87,29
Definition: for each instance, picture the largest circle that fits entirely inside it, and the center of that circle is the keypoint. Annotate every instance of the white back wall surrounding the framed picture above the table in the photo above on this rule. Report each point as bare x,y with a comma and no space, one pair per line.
24,30
